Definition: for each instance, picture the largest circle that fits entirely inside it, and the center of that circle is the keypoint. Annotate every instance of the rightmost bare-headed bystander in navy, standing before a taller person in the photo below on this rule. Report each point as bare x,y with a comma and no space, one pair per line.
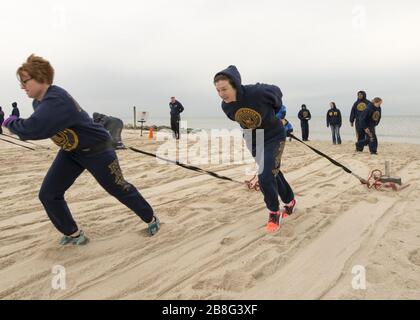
369,120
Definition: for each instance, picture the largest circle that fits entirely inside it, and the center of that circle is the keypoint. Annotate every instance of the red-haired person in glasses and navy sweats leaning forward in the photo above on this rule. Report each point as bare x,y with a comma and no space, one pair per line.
84,145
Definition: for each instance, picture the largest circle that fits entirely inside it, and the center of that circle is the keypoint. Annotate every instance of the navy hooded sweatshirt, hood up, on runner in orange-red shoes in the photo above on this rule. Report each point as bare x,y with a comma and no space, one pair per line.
255,106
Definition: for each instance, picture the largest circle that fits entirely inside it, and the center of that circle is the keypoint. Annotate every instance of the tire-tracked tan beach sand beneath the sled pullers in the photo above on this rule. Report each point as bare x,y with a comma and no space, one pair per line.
213,243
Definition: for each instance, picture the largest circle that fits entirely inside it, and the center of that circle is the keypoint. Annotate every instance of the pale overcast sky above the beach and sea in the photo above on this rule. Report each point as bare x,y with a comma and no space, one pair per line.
112,55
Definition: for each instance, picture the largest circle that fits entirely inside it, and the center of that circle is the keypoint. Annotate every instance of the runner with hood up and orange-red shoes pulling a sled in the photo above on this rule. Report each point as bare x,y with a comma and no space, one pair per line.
254,107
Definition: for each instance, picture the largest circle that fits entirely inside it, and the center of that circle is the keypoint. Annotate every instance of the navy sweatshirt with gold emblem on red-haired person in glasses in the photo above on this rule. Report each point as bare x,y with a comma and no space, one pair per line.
59,117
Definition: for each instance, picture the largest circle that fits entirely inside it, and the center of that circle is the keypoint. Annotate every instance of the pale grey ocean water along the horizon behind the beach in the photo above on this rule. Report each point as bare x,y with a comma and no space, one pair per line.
403,129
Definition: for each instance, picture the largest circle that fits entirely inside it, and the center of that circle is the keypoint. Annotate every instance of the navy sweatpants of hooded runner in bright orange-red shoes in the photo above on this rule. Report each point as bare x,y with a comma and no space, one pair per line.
272,181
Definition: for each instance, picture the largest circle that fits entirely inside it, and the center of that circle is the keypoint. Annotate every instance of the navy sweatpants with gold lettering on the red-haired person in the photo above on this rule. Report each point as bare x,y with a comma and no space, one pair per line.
104,166
